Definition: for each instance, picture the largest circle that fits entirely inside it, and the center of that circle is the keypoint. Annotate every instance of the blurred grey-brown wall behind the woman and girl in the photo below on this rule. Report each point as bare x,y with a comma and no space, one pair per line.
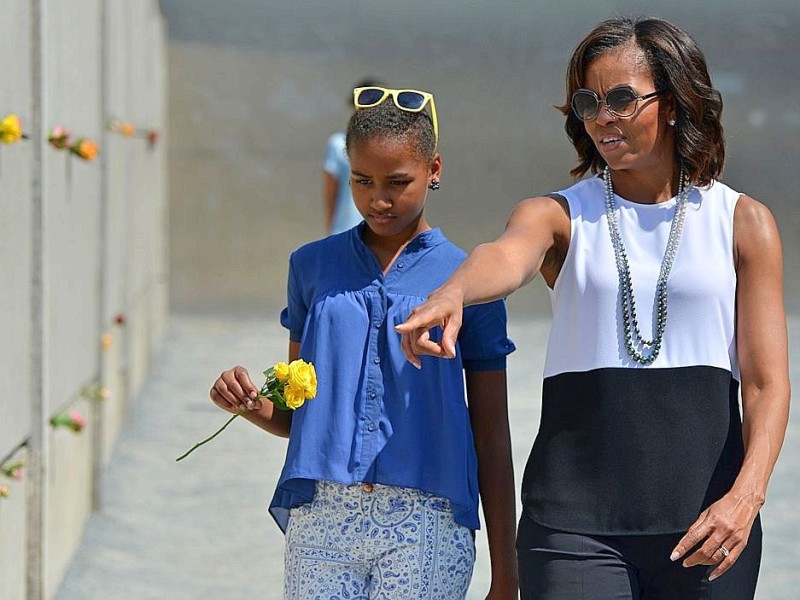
257,86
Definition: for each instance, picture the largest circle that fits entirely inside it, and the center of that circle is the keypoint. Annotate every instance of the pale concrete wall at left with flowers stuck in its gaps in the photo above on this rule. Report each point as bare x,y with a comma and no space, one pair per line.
83,286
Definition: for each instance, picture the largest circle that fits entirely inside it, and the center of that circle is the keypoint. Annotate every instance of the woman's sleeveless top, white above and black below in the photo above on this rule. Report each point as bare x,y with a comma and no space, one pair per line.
625,448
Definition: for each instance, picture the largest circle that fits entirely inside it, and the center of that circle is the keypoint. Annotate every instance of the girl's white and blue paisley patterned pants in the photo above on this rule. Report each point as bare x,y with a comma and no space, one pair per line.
370,542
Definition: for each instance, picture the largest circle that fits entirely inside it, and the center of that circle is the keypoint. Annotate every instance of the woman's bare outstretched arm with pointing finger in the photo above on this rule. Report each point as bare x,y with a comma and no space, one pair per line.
535,239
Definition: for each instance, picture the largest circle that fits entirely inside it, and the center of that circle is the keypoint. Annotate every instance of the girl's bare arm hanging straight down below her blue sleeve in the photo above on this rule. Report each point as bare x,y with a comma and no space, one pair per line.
488,408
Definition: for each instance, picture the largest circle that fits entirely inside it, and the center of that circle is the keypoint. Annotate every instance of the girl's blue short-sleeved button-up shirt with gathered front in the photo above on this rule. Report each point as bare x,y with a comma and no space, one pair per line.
376,418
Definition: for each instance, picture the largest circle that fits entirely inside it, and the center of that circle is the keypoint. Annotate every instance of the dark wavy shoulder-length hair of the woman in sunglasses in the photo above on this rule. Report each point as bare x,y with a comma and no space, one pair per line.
679,69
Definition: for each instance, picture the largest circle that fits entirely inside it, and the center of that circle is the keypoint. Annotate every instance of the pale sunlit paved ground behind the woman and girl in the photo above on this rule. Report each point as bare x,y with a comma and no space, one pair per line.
199,528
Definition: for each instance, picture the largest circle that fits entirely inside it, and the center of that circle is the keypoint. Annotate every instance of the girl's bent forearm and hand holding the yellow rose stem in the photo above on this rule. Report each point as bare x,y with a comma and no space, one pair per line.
234,391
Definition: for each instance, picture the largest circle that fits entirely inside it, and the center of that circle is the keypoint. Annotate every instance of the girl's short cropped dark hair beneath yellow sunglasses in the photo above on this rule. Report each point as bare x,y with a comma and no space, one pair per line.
387,121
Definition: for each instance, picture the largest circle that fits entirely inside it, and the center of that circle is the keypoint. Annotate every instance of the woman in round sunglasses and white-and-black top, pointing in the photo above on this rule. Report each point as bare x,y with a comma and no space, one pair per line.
666,286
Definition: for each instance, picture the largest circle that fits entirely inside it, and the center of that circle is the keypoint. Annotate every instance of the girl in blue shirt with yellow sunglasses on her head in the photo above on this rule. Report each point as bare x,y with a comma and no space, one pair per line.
379,493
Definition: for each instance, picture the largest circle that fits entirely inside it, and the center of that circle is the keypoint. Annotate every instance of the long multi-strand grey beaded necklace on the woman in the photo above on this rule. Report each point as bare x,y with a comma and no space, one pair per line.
633,336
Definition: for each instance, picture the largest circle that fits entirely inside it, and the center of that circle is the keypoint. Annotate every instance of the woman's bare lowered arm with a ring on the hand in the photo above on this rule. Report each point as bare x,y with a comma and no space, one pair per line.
762,347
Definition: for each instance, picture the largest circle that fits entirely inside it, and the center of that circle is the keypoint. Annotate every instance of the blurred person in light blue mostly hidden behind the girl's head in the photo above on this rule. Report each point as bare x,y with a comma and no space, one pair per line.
340,212
